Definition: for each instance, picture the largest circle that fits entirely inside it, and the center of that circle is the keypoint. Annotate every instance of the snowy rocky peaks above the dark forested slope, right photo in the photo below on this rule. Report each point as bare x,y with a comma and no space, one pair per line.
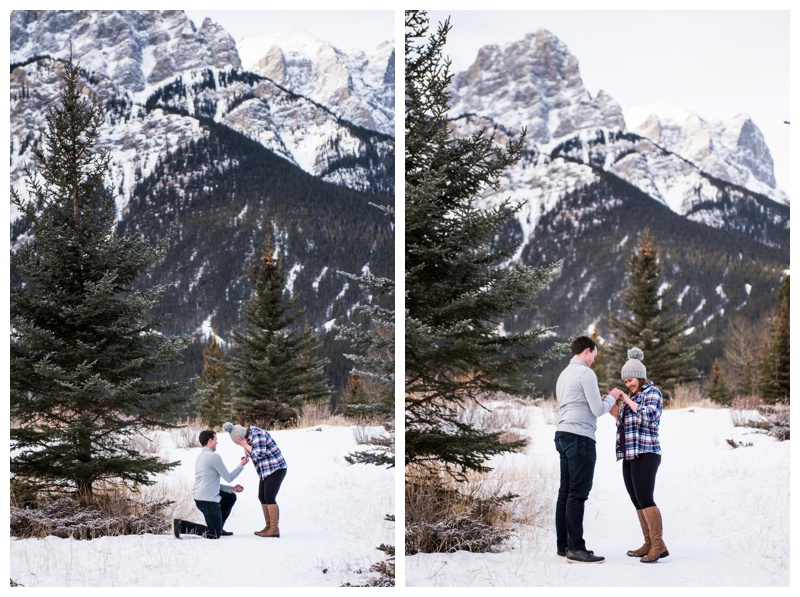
535,83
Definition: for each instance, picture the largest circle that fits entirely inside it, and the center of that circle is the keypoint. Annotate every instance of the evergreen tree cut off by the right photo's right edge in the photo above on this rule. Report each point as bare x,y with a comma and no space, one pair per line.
774,368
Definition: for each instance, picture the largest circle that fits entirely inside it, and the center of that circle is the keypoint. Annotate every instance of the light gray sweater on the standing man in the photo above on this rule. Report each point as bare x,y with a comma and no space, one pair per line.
579,400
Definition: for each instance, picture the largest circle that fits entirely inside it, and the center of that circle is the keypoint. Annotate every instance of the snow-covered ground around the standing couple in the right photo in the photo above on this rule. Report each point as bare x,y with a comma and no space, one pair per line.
725,512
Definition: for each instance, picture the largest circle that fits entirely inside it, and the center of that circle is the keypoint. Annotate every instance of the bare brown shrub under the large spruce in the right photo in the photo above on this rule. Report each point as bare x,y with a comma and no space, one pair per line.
442,519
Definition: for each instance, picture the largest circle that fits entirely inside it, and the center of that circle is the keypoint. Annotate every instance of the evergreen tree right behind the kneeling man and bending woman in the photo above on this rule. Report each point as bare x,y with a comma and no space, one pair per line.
273,364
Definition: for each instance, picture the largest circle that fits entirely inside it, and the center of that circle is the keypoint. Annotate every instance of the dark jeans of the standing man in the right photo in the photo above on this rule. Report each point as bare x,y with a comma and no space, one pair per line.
578,456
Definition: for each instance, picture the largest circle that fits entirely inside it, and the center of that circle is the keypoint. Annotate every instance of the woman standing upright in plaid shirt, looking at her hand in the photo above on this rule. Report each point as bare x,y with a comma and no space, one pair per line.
638,448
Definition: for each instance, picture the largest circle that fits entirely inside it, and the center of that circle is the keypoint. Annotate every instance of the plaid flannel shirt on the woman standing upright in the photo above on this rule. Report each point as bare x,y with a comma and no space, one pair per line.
640,428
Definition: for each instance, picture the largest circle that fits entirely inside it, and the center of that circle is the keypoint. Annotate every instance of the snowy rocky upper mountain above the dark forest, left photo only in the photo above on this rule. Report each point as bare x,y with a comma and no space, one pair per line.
168,74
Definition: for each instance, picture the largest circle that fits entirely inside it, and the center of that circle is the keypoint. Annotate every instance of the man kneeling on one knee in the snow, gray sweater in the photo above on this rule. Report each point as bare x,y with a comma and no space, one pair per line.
214,500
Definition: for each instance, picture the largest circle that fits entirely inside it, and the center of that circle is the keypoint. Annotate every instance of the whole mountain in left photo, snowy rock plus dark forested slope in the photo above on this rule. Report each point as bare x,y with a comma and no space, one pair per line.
216,156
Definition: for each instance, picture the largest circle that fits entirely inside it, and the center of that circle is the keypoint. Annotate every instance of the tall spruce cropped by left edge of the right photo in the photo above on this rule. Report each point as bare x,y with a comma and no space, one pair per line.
459,289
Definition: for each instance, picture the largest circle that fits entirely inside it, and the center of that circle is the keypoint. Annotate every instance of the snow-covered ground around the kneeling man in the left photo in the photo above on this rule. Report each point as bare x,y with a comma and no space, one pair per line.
332,521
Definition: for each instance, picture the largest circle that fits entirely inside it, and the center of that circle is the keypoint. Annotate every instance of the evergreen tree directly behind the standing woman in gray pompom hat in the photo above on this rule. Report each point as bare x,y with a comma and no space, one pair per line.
648,322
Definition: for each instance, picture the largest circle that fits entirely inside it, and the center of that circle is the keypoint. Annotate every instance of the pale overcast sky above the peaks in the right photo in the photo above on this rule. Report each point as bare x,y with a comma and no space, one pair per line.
714,63
